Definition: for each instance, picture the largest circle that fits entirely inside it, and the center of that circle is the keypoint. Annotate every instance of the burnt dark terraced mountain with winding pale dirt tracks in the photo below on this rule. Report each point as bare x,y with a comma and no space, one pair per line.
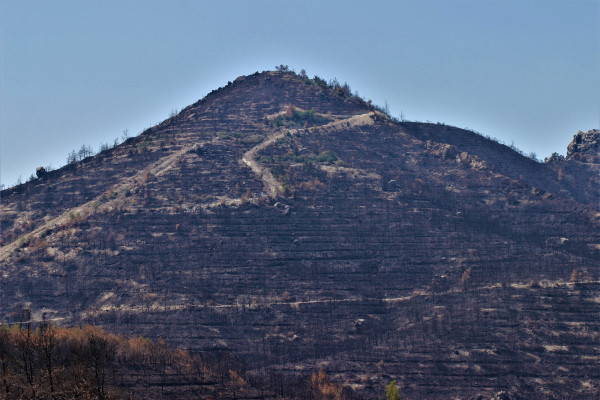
290,223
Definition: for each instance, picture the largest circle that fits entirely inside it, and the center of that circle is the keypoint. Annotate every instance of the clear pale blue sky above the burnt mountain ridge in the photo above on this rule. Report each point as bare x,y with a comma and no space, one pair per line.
80,72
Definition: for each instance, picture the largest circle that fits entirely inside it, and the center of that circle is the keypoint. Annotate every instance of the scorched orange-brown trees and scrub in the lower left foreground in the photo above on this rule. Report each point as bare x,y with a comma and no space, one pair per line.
45,361
